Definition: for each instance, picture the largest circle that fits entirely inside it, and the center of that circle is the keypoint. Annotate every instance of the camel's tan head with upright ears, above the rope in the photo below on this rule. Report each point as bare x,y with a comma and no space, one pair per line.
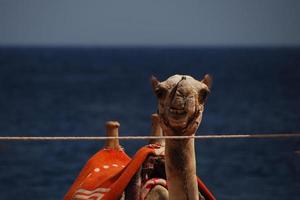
181,100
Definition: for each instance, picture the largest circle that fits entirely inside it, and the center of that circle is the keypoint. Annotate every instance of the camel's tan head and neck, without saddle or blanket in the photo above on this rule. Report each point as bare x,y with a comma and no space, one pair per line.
181,102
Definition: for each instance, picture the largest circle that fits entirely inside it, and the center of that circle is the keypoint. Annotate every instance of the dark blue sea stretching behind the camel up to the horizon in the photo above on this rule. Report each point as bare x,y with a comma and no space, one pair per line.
74,91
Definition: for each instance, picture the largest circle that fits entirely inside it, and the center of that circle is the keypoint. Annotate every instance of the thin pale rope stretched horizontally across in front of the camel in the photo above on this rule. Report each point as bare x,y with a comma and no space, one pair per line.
77,138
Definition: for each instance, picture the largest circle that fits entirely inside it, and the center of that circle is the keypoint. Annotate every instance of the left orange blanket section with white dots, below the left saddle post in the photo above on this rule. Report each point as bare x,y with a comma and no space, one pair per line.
99,173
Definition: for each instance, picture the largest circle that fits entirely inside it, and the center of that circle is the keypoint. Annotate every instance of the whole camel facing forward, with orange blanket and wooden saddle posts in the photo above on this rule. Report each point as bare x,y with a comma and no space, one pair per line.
170,165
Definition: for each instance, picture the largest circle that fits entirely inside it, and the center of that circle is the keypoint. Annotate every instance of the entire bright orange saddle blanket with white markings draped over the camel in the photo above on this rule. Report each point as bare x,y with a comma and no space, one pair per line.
108,172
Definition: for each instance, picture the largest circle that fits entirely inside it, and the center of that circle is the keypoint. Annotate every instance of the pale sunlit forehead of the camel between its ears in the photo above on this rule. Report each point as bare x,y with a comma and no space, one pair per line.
173,80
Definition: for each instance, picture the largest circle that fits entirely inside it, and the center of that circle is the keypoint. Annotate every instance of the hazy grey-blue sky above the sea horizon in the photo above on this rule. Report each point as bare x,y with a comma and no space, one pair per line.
150,22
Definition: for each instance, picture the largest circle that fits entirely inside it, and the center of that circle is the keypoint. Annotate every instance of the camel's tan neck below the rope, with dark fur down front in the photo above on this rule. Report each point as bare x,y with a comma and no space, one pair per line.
181,169
